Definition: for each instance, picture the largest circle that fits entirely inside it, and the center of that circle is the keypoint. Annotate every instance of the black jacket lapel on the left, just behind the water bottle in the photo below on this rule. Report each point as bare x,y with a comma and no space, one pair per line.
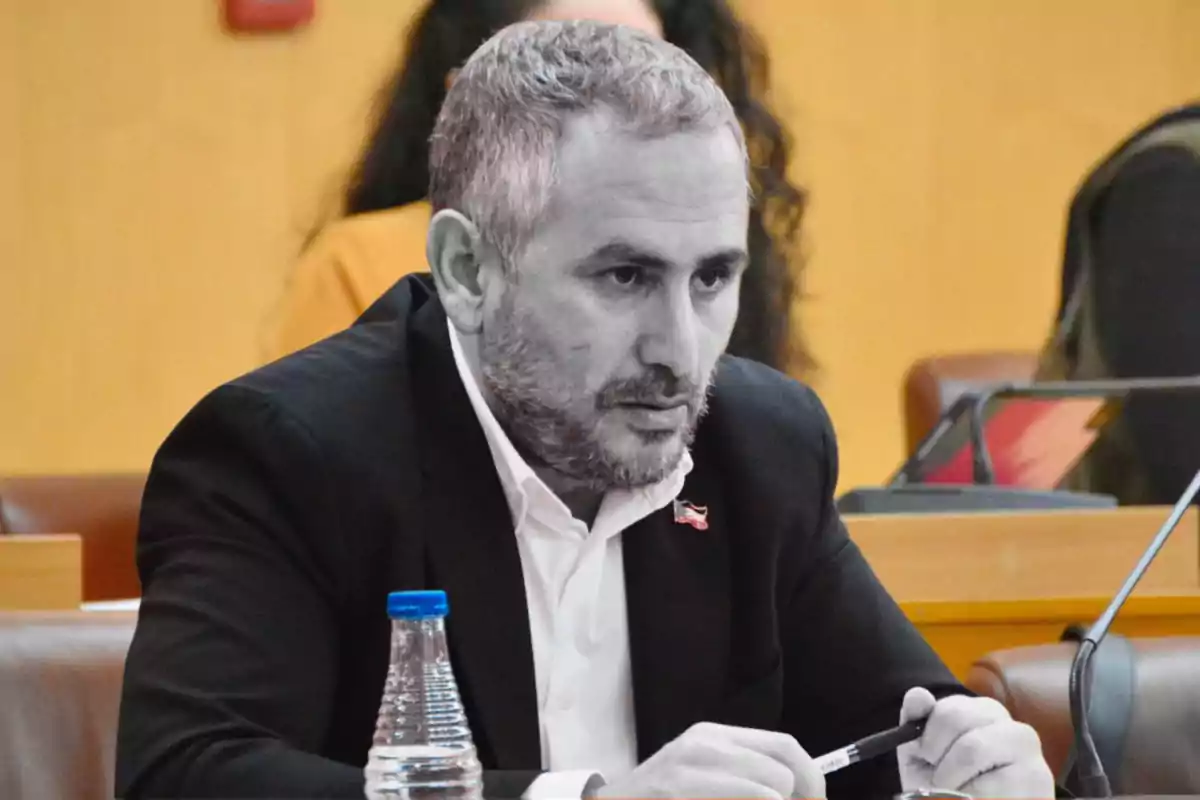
475,556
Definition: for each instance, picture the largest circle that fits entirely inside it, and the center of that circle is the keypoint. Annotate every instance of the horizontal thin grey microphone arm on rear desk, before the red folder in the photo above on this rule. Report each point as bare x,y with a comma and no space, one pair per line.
983,472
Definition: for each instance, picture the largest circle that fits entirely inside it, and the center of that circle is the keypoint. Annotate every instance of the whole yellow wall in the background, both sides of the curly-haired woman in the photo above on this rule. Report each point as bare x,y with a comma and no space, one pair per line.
157,176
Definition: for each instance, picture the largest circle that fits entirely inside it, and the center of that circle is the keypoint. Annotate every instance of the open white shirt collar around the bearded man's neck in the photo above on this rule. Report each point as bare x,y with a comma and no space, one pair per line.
521,484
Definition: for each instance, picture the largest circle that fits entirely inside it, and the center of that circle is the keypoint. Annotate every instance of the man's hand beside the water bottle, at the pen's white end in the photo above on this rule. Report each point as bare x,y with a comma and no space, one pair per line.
713,761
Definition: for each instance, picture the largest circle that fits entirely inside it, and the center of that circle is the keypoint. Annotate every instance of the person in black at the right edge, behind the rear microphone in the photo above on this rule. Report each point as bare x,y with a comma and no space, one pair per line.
1130,308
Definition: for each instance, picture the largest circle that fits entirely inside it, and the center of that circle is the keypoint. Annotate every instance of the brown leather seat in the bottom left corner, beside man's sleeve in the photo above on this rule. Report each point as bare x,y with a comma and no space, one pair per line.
61,688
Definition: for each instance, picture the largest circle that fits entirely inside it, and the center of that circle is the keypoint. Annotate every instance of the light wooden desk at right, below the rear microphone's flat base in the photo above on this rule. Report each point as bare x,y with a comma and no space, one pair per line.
981,582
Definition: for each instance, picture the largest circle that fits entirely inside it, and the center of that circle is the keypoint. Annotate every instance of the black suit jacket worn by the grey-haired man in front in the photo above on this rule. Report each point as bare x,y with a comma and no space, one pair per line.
289,503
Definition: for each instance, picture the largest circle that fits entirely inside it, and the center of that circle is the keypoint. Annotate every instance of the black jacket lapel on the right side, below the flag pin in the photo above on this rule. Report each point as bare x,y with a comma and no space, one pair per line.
679,604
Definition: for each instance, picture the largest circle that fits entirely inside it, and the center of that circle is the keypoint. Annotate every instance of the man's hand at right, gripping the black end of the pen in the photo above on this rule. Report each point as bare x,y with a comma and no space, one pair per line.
973,745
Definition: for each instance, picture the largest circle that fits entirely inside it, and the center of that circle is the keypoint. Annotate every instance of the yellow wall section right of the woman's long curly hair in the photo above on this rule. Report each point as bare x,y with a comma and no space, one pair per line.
943,141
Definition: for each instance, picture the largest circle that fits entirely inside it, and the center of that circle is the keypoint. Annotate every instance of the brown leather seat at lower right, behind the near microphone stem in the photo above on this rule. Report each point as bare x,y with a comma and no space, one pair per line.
1162,747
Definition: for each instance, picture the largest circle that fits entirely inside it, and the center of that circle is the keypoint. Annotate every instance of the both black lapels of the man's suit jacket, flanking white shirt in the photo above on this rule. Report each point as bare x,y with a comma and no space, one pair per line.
677,579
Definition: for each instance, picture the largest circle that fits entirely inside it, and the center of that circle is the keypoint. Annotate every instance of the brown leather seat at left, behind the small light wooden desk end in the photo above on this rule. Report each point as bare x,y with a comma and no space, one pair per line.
101,509
